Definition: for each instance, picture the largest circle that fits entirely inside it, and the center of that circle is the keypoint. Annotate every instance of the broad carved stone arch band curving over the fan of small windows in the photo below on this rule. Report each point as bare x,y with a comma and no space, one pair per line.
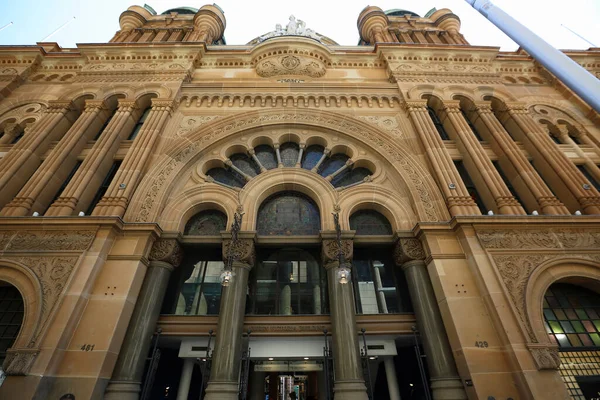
156,189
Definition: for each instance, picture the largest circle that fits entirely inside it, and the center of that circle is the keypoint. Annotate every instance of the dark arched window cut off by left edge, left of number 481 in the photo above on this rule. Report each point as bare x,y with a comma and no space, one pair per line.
11,316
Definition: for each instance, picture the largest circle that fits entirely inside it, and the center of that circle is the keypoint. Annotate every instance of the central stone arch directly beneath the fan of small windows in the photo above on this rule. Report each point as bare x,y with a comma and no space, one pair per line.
279,180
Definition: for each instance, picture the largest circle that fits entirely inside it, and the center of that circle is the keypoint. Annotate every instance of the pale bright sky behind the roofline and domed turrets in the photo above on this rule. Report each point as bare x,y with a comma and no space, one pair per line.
97,21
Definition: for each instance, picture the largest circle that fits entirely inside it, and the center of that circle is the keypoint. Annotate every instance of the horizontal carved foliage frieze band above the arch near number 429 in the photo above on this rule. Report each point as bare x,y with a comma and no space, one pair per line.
529,239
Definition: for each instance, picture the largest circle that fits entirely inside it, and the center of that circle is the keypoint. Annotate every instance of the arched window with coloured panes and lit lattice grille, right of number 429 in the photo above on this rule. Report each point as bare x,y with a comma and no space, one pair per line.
572,321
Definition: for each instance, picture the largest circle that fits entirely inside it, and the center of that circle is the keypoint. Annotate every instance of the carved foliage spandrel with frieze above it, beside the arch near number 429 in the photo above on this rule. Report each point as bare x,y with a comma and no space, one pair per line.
516,268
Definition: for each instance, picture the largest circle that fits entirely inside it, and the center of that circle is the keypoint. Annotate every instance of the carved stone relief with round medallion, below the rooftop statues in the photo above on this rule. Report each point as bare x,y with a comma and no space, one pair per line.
290,64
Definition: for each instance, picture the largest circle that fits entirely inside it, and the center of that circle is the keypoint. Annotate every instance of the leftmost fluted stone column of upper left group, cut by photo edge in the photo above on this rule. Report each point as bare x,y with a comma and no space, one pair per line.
25,156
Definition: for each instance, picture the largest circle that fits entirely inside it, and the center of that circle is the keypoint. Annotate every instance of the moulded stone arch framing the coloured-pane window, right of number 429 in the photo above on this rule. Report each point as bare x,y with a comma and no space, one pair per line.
563,270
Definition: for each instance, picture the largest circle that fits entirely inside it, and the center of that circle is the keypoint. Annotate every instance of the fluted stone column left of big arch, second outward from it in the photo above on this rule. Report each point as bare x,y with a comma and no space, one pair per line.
96,165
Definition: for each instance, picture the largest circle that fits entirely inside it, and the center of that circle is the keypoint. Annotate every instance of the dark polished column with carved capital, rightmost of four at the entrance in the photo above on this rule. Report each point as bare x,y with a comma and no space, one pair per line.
445,381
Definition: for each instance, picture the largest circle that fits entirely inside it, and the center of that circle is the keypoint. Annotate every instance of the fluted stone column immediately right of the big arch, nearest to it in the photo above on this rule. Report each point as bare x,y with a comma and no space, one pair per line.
458,200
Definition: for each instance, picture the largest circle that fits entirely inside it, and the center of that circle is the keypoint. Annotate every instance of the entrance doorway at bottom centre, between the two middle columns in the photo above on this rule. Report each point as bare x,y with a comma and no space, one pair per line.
287,379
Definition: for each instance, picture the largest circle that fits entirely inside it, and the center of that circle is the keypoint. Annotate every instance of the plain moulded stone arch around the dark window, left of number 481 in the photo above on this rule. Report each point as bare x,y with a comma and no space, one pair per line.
30,289
